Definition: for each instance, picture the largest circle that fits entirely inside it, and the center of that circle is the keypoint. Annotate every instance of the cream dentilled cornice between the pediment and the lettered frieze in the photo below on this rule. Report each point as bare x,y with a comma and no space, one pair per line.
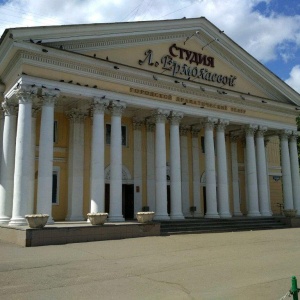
130,76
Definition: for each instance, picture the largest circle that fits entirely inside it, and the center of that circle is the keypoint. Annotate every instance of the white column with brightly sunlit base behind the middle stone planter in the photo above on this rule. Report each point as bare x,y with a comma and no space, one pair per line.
97,185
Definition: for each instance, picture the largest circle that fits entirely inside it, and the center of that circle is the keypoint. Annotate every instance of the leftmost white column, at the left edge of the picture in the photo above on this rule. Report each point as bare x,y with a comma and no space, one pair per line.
7,162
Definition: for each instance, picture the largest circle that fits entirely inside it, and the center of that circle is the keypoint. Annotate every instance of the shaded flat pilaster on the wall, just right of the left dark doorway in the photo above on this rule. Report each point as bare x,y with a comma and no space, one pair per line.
137,166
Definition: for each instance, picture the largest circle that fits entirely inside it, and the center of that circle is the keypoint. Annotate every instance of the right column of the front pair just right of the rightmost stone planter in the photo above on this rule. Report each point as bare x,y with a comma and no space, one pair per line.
175,166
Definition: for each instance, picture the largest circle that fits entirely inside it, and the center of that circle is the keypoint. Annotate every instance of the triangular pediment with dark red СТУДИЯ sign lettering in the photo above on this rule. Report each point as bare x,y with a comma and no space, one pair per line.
187,49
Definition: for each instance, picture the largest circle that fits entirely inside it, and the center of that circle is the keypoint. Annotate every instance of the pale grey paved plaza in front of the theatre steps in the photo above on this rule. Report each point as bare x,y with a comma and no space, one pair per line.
236,265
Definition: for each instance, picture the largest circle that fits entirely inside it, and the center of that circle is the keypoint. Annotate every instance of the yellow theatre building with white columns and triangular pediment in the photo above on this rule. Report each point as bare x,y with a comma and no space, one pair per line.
168,116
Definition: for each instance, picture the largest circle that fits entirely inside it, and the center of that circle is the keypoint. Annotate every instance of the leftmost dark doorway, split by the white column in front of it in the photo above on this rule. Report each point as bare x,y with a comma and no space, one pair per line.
127,200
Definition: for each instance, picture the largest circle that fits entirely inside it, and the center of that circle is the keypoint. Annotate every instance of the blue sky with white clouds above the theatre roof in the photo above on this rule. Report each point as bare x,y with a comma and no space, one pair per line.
268,29
